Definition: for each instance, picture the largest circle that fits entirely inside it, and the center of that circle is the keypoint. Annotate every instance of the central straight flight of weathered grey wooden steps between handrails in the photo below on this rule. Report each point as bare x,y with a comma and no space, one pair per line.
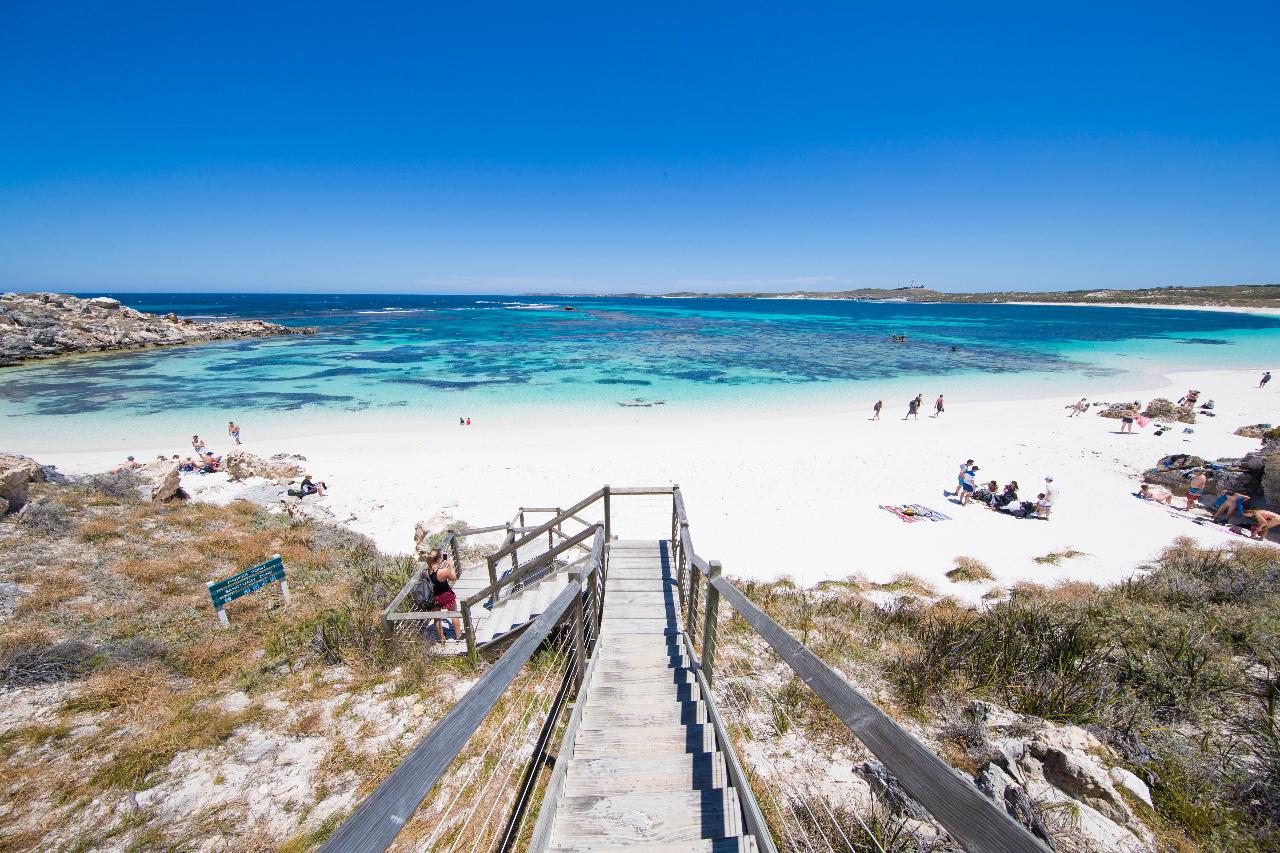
644,770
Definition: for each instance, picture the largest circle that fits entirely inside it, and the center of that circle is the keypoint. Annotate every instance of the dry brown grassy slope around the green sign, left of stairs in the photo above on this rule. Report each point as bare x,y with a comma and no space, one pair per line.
147,674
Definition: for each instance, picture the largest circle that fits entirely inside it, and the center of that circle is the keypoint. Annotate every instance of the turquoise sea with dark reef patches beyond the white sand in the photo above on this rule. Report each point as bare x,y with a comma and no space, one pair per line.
449,357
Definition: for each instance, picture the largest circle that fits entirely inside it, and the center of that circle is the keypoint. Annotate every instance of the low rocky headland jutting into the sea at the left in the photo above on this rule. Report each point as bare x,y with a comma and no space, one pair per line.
45,326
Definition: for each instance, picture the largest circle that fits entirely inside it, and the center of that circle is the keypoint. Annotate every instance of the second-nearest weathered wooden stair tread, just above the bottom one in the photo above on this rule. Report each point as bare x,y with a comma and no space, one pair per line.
633,776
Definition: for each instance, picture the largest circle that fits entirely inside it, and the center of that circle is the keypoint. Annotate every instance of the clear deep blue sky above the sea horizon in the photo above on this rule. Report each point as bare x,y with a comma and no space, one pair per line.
605,147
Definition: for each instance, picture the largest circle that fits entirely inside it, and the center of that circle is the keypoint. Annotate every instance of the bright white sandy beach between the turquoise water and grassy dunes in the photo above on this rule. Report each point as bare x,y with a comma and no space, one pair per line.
788,492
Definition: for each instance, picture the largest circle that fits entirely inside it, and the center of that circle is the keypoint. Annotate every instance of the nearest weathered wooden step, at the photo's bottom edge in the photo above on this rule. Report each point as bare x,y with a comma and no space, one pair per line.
655,818
